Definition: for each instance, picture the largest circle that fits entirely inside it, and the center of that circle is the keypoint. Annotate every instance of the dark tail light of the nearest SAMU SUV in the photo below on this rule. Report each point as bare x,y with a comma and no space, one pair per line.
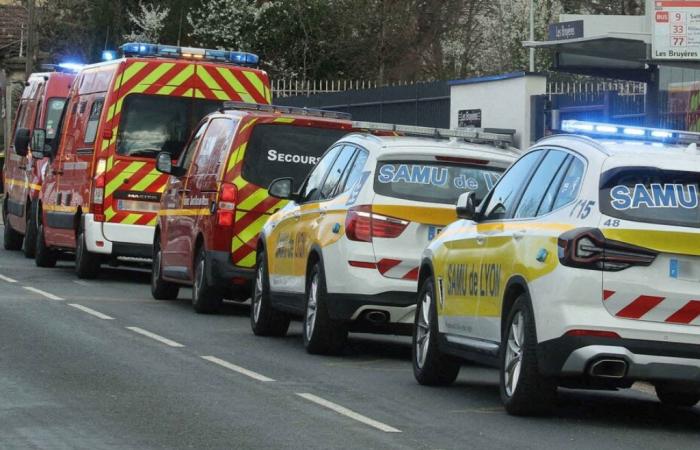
587,248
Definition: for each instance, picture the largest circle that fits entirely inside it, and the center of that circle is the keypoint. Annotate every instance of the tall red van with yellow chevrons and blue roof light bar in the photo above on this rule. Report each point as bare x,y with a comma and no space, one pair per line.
101,195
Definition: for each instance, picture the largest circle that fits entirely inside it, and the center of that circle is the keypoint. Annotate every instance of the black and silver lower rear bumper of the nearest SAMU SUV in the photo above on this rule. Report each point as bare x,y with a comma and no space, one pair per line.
653,361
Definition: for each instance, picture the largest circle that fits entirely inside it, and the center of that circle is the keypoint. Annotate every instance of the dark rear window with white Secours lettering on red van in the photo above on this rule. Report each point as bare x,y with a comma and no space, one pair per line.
279,150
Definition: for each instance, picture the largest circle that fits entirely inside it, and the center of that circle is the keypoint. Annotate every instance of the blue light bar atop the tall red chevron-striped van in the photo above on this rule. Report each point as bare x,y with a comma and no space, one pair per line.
171,51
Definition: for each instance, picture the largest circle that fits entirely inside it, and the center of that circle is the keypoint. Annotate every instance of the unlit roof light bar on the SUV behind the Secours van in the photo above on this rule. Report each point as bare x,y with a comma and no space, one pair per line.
498,137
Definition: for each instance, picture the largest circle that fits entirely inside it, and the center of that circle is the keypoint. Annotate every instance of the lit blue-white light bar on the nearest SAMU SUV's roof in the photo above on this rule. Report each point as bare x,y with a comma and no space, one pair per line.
611,131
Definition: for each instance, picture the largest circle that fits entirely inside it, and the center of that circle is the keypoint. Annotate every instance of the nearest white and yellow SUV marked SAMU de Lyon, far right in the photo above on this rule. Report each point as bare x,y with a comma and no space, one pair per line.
581,268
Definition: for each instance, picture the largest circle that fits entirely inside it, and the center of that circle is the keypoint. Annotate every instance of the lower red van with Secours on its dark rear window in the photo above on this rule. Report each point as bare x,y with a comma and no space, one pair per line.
216,202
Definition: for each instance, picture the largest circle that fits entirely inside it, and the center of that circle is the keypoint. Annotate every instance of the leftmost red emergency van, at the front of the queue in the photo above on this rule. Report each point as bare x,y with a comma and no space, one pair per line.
40,106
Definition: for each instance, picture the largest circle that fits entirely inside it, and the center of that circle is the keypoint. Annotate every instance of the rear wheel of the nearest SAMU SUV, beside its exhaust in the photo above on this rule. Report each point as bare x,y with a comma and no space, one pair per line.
531,393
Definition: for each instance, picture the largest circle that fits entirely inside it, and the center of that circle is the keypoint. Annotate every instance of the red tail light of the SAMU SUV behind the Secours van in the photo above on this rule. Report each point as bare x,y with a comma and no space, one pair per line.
361,224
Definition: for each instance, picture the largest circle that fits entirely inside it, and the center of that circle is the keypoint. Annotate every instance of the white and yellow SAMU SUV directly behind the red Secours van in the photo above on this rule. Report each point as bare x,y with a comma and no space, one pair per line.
344,254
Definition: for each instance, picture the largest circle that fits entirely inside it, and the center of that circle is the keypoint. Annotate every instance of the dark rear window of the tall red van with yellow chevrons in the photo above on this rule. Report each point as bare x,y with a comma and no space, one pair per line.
153,123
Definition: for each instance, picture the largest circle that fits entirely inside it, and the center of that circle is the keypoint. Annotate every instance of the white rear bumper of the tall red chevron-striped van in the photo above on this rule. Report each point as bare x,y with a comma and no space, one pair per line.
137,239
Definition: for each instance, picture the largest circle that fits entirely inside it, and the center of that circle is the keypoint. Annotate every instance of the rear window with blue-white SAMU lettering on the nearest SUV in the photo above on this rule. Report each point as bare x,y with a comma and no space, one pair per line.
649,194
